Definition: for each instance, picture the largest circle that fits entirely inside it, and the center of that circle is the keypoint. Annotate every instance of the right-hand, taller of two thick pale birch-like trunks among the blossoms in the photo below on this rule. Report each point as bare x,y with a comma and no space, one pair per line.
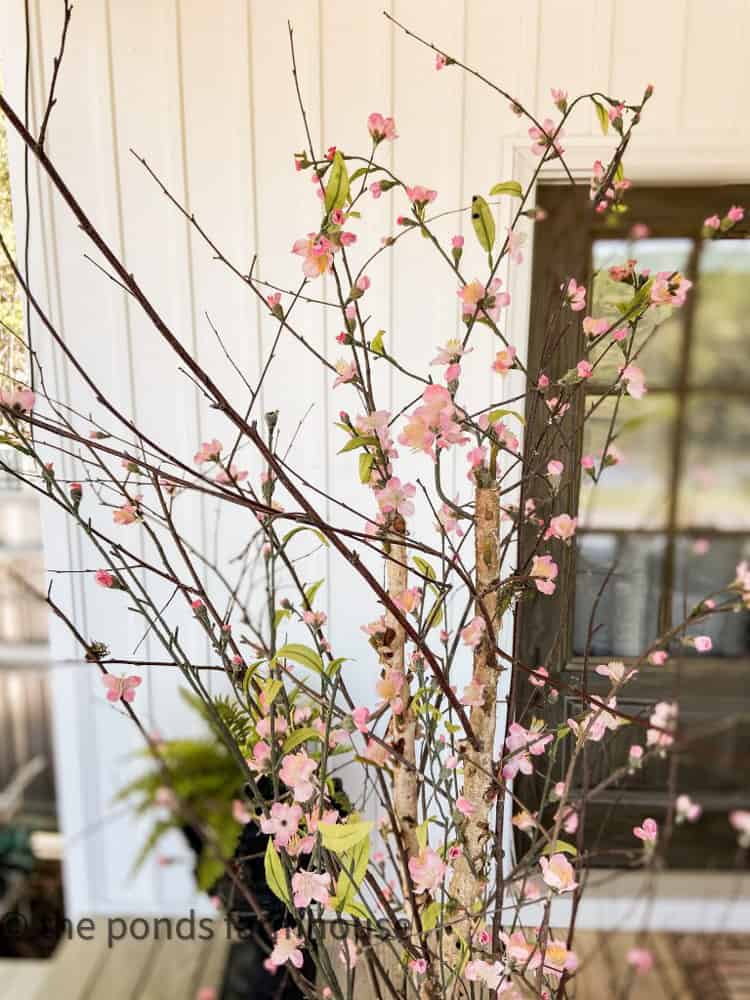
470,870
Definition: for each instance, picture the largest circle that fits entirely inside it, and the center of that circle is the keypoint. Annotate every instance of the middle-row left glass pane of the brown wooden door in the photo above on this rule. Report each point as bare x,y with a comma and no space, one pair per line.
634,493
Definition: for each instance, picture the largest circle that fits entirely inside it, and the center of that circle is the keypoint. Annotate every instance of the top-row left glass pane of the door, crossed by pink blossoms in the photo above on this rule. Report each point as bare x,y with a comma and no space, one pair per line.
659,337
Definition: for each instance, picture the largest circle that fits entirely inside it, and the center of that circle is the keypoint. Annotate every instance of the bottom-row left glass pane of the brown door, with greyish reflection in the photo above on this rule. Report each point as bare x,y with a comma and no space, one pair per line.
626,618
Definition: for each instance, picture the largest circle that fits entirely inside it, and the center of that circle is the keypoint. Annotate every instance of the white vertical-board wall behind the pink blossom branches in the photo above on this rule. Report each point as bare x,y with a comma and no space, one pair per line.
204,92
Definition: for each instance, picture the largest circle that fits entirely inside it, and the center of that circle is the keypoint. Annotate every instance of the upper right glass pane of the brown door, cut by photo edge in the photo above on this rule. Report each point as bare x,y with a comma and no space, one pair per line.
721,349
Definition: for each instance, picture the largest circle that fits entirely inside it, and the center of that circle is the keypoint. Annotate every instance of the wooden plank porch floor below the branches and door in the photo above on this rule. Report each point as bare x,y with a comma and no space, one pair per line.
687,967
